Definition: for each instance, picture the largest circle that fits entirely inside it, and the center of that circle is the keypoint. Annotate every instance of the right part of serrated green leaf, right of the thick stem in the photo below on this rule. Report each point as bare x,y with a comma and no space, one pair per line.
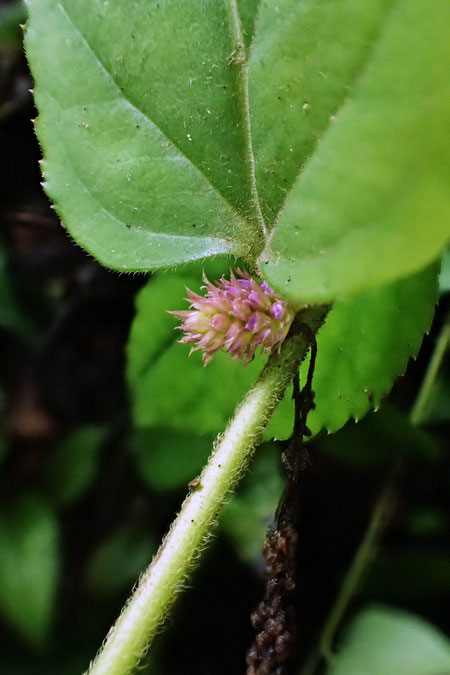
364,345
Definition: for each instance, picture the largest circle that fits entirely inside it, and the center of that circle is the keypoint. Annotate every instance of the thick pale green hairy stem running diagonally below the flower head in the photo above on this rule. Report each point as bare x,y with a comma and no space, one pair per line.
155,593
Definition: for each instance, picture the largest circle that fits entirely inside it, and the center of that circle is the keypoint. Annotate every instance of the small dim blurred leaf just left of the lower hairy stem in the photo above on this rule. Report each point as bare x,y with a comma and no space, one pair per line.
119,560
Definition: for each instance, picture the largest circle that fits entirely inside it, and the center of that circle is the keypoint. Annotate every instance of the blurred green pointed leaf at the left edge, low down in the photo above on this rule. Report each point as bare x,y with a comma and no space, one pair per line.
29,565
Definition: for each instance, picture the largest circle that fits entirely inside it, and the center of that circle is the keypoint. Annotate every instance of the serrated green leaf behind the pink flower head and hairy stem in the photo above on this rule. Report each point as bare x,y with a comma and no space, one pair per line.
364,345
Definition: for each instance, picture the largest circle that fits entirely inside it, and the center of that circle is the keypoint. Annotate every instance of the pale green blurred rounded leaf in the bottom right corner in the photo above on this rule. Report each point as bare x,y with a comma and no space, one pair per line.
382,640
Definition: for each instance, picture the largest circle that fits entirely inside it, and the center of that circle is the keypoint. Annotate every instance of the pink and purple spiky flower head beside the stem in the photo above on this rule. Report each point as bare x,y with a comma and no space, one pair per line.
236,316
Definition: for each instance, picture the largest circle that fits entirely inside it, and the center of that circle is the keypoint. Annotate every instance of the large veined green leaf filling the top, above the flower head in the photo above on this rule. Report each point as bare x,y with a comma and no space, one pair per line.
175,131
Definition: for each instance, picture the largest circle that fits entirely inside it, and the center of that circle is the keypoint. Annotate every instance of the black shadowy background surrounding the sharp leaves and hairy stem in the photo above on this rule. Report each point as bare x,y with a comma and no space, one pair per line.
62,384
